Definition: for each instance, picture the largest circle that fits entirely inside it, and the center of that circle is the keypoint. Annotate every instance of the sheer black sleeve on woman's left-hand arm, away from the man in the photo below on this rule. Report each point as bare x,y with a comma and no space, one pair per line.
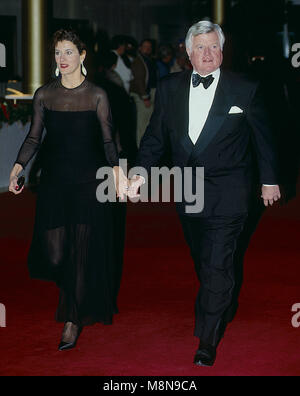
33,139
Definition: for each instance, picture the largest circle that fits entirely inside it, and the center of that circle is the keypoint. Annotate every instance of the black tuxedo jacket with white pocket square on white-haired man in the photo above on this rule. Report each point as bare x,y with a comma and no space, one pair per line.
229,147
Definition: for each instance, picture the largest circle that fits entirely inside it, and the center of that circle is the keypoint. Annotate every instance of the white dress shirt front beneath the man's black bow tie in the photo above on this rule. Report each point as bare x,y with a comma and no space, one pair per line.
199,105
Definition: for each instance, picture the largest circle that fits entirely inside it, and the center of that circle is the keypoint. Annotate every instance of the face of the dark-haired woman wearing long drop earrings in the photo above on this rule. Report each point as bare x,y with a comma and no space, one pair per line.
67,57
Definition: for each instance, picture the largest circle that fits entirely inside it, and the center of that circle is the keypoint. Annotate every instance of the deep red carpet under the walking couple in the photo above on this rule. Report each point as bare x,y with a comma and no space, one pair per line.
153,334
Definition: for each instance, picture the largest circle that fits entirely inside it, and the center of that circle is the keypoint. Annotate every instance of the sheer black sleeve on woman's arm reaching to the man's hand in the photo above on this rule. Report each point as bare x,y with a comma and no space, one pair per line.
105,119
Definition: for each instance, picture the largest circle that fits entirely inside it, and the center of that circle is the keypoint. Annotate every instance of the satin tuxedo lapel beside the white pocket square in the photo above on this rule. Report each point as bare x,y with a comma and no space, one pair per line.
221,105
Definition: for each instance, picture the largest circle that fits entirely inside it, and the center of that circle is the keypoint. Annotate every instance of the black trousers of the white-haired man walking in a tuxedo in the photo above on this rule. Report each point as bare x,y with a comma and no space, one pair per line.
213,242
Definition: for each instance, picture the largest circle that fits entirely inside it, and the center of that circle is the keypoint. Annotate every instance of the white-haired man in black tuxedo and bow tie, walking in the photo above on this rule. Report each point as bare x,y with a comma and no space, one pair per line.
214,119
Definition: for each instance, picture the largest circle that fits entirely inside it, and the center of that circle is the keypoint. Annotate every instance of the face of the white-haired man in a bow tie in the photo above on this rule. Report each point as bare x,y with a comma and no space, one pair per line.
206,54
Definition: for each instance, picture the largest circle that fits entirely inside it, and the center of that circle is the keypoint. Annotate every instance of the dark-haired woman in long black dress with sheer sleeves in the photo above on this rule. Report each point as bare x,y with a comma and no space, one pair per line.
73,240
